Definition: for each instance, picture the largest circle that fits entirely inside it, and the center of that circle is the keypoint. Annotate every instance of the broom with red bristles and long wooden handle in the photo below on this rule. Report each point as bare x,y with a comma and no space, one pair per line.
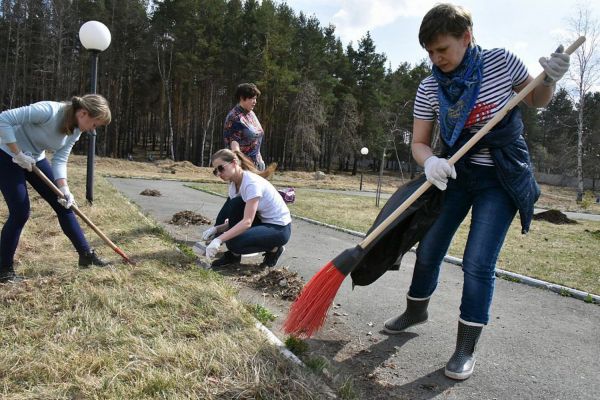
307,314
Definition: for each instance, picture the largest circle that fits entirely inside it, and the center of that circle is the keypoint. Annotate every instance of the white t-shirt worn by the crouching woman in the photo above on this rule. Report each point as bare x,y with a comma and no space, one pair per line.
271,207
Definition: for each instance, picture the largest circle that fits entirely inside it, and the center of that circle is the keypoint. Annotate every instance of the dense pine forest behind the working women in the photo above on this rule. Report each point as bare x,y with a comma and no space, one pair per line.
172,68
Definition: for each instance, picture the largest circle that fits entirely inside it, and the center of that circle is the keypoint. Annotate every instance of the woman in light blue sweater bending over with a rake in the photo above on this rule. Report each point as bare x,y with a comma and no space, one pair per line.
25,134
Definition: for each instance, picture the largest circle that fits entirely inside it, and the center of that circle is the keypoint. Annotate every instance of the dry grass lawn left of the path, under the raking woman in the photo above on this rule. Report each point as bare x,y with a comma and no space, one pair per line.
160,329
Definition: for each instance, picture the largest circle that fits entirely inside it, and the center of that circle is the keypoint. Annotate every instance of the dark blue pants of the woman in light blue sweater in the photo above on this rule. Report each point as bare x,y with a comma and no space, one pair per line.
14,190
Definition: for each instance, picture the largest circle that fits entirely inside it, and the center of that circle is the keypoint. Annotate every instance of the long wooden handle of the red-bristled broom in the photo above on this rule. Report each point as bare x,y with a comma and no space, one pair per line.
465,148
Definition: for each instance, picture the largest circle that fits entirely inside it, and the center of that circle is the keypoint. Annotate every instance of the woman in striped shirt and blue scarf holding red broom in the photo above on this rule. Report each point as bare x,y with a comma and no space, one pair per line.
494,180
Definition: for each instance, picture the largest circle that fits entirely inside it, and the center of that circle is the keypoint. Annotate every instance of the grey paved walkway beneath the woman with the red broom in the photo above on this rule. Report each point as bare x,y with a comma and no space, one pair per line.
538,344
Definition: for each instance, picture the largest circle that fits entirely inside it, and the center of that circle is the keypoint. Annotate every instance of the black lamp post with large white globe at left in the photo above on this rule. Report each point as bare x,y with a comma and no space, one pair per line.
95,37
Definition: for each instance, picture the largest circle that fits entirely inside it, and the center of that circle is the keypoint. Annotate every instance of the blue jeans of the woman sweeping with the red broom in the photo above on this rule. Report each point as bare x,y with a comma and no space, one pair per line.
492,211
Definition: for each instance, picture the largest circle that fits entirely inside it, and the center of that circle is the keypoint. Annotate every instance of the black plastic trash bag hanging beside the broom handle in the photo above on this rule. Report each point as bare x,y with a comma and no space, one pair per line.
386,251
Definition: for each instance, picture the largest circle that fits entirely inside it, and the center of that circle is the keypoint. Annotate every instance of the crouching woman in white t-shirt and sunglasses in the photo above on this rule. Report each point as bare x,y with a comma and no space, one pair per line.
254,218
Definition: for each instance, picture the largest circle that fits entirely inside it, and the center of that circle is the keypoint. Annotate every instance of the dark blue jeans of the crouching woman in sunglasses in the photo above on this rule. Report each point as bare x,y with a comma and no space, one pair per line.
259,237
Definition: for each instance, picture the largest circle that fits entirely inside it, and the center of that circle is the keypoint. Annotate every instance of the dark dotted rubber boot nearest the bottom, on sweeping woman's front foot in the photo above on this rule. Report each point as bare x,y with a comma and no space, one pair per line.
461,364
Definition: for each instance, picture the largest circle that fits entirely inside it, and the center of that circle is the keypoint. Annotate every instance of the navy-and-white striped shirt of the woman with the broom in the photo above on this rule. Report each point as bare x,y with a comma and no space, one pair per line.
502,71
